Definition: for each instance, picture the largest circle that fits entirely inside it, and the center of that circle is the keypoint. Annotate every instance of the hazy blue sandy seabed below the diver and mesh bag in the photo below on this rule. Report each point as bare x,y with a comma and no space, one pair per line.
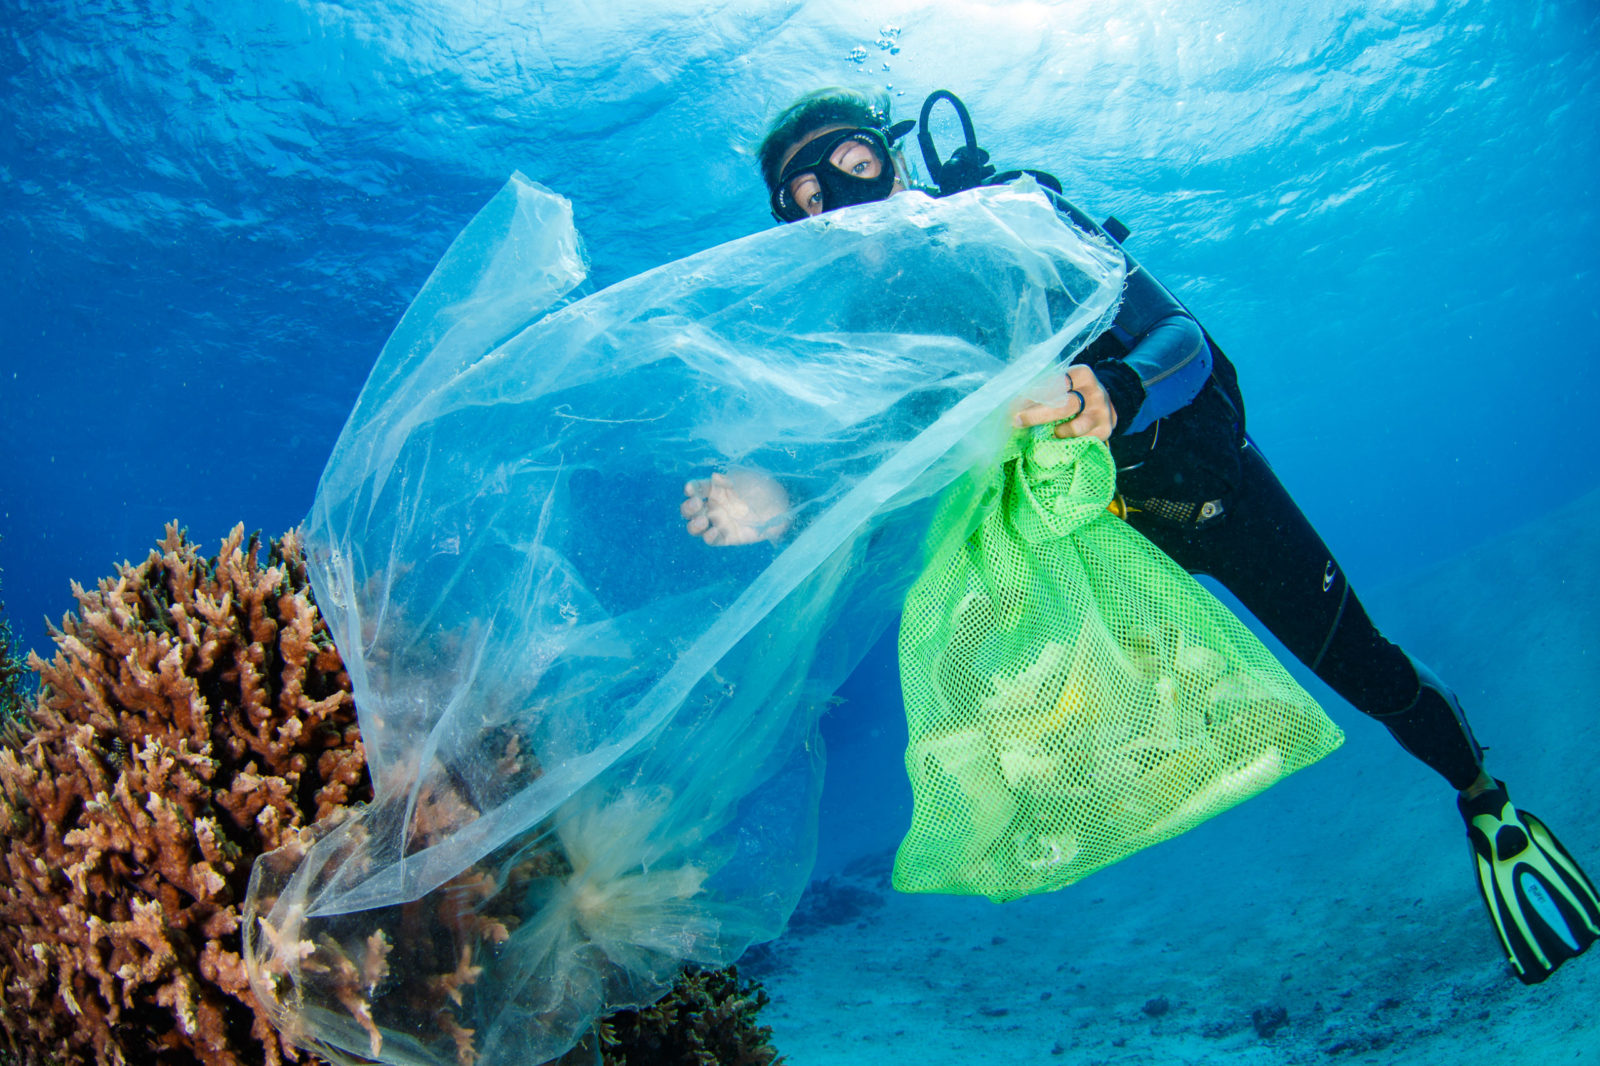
1334,920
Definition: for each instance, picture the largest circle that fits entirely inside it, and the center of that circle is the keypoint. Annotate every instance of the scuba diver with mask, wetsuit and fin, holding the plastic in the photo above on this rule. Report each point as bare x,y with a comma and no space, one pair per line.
1167,403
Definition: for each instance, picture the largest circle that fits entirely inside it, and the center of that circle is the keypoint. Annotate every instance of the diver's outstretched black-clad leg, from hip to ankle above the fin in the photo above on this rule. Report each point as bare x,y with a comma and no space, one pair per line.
1270,556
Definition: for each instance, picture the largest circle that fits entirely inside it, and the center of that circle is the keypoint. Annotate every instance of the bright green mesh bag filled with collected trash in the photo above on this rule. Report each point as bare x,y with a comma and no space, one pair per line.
1073,694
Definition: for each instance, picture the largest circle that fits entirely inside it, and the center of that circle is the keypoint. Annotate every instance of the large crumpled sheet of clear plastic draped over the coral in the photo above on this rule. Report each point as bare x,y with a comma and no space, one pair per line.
593,737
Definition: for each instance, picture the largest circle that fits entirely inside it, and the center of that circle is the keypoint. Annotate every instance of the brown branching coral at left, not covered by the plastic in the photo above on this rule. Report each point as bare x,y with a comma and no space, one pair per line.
196,715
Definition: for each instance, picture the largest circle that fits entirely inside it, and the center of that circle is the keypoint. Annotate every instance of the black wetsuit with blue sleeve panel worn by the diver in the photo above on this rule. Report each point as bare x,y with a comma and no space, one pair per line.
1201,491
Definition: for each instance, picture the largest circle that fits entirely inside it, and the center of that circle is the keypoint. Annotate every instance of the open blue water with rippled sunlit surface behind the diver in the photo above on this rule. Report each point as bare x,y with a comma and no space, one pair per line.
212,215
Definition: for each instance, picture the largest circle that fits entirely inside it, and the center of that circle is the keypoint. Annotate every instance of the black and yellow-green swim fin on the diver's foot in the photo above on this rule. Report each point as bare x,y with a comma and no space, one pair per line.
1545,908
